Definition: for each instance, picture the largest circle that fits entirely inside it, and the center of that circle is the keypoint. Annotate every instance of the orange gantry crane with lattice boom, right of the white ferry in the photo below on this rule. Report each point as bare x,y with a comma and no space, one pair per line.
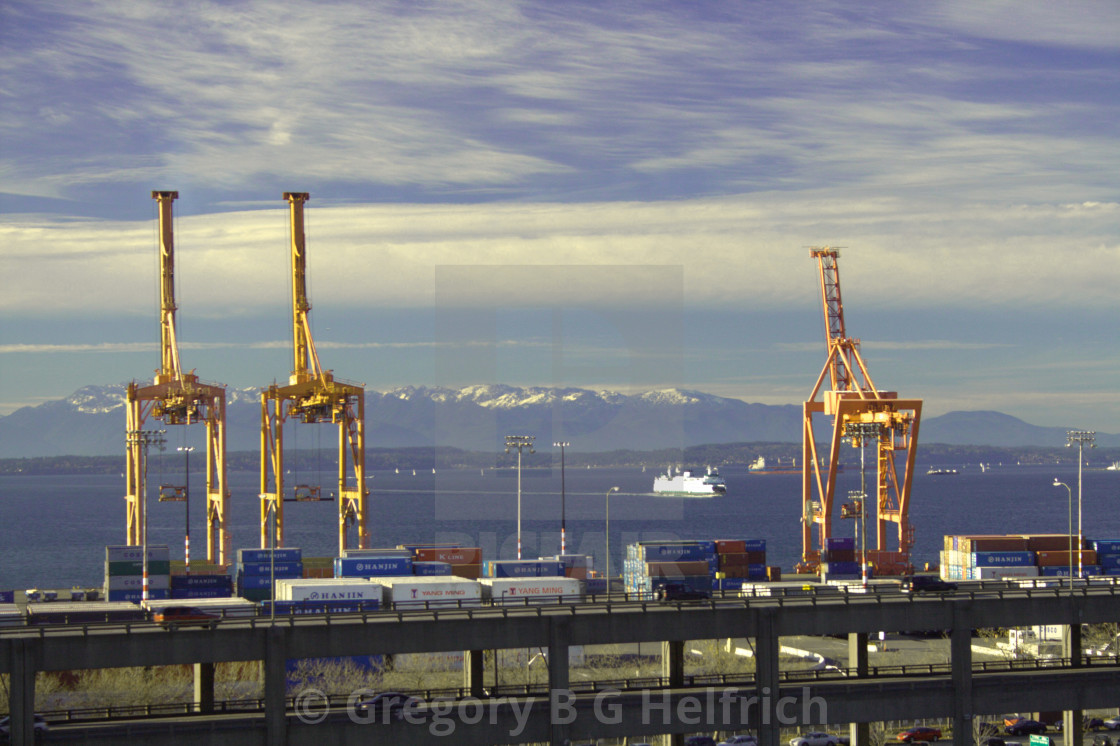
866,416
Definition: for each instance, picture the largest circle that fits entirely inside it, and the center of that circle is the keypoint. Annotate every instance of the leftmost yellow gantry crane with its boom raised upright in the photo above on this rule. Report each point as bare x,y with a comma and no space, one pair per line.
176,398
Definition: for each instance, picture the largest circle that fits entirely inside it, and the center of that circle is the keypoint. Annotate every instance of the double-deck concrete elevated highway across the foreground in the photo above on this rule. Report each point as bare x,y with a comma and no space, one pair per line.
768,703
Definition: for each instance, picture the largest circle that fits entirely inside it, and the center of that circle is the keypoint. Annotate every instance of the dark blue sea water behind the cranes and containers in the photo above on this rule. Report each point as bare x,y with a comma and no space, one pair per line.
54,529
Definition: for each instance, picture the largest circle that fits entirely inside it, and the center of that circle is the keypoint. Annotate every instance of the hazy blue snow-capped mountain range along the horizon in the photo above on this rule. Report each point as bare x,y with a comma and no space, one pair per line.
91,422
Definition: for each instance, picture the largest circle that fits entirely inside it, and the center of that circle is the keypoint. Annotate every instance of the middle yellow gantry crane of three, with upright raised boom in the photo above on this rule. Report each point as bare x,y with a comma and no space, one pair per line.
313,396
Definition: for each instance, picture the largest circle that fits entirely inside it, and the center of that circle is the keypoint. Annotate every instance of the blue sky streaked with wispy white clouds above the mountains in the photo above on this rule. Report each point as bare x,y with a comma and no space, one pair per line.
617,197
